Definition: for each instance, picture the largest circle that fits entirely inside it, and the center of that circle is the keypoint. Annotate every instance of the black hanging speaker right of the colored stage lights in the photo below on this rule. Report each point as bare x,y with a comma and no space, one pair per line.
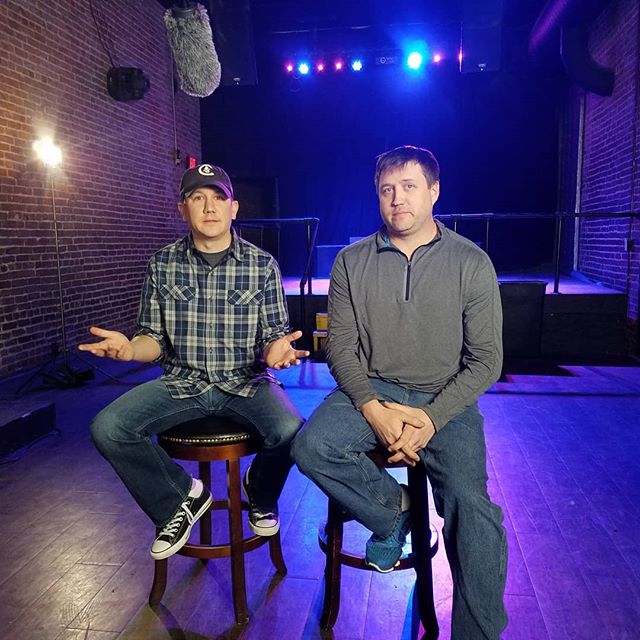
481,36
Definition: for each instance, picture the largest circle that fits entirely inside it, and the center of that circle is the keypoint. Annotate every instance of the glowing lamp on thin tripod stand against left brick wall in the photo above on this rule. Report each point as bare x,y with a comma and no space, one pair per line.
56,375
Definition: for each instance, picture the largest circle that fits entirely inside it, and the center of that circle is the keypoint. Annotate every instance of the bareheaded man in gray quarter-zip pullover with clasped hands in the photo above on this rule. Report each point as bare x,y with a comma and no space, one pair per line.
415,326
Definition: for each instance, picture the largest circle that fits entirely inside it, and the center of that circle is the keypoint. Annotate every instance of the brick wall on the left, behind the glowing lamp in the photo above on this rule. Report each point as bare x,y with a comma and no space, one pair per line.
116,190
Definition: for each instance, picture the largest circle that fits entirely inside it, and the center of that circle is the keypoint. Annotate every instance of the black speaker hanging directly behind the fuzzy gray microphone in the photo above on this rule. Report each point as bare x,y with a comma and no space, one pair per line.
233,39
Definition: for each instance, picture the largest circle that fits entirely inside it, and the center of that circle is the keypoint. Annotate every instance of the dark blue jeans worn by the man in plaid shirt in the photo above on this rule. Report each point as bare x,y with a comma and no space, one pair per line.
123,433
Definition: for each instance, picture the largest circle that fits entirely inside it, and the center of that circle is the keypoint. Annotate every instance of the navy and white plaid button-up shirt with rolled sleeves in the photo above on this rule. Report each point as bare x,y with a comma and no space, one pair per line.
212,324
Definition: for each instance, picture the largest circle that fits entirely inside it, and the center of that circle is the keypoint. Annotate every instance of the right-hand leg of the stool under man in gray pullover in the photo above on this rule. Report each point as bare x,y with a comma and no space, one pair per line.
421,544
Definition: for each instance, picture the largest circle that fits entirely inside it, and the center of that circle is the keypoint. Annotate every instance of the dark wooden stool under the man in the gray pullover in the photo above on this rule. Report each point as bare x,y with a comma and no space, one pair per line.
424,542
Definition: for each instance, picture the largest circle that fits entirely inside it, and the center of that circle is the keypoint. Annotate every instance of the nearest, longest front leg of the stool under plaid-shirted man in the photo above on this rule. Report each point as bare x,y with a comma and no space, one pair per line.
238,583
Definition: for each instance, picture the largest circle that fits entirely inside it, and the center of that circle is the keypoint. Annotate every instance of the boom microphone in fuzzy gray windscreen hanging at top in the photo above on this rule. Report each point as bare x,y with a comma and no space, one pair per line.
191,42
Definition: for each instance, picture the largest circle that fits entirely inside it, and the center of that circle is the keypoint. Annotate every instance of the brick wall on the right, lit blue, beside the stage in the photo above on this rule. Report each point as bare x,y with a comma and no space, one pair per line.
611,180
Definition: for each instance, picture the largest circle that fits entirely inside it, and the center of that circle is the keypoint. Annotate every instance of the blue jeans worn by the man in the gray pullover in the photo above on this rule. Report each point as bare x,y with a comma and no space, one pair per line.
331,450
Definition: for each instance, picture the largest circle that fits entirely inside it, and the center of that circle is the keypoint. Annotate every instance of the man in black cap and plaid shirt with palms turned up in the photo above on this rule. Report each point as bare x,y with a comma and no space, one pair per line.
213,314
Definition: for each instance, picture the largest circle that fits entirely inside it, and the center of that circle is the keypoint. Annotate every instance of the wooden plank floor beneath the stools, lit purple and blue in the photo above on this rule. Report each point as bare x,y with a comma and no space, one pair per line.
564,452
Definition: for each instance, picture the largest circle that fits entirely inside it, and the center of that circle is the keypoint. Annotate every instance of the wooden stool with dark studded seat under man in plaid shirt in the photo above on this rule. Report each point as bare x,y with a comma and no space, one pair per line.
208,440
